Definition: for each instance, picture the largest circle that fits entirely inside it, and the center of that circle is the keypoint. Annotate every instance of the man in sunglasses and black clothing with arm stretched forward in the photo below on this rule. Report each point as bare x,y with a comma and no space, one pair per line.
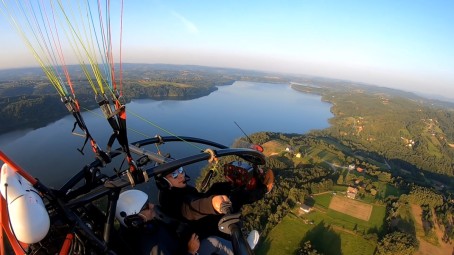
203,211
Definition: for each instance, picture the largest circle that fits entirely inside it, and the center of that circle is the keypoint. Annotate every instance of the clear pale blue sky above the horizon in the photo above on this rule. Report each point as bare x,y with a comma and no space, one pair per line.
402,44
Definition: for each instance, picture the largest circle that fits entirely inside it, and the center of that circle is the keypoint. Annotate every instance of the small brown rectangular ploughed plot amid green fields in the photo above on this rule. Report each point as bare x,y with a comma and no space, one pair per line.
351,207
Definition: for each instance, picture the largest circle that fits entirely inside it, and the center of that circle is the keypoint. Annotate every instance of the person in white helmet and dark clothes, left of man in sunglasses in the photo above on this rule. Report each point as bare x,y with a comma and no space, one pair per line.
146,234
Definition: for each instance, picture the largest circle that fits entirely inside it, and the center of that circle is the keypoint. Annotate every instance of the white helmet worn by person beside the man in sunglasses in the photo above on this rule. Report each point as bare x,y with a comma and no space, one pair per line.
130,202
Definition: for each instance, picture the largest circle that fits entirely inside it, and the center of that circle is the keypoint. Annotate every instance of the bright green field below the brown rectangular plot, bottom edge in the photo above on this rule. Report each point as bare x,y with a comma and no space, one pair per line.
342,232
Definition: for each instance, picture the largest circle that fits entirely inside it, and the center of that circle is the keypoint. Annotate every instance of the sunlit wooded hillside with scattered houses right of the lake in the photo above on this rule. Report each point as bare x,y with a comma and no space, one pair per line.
412,135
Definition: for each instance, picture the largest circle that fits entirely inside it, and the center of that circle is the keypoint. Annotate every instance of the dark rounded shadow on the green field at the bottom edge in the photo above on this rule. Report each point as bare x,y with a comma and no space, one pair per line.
321,235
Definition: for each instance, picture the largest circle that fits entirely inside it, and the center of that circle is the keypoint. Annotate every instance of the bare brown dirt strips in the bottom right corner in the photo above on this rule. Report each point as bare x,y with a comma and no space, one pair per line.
426,248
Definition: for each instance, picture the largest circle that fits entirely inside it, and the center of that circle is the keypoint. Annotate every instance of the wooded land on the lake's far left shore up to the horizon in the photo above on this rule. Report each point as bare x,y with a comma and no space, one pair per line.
25,92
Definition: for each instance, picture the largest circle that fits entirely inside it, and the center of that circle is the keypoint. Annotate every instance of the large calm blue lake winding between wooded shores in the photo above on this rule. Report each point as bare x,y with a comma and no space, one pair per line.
50,154
